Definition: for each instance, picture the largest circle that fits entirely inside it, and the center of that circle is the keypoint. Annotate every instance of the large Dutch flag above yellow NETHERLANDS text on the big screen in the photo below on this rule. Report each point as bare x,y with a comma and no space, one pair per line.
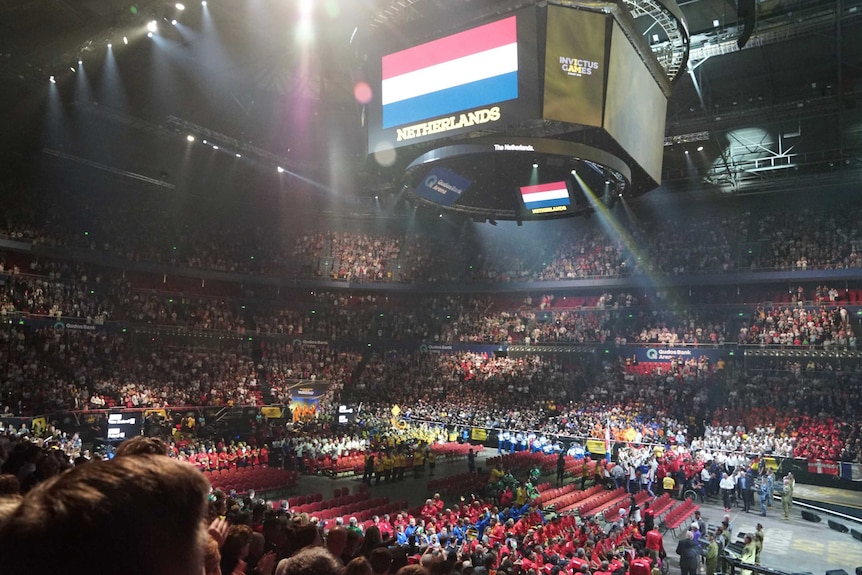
474,68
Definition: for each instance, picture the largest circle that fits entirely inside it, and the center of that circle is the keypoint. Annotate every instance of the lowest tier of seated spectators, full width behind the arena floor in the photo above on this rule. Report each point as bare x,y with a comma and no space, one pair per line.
525,393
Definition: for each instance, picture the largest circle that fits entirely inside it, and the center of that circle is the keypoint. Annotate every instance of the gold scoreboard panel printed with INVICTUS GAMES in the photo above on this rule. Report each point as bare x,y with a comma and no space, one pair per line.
575,66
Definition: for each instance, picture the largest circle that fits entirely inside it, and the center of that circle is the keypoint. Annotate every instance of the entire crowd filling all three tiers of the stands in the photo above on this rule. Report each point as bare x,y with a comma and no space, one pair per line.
48,369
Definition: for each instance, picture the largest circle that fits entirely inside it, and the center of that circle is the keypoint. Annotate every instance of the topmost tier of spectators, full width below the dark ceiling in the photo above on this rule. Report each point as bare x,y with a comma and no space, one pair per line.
246,239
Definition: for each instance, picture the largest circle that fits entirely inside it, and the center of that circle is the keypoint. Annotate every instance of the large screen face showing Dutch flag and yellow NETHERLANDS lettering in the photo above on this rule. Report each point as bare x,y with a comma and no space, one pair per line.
479,79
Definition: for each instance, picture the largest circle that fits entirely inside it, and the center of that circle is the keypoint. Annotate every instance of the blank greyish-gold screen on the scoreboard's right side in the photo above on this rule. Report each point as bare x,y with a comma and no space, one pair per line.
636,124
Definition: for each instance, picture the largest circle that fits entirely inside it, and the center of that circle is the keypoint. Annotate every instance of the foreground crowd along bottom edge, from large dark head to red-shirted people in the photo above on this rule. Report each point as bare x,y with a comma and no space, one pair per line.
140,498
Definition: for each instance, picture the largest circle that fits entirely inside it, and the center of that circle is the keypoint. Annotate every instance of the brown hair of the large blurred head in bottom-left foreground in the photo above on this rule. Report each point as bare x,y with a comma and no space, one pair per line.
139,514
